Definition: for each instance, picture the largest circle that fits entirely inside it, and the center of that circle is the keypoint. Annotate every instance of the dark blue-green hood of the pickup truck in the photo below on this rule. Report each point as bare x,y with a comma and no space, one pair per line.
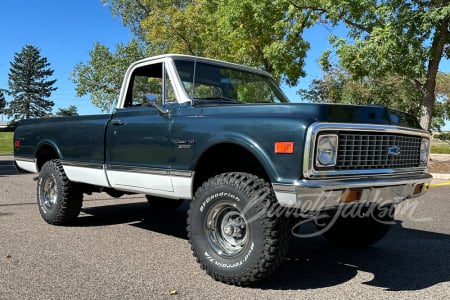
314,112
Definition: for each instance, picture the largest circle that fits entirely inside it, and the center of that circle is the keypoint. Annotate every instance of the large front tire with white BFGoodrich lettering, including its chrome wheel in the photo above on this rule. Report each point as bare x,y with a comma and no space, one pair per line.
231,233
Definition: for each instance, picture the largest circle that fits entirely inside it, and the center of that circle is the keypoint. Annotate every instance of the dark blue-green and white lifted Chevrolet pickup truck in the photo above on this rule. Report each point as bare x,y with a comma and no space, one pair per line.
254,165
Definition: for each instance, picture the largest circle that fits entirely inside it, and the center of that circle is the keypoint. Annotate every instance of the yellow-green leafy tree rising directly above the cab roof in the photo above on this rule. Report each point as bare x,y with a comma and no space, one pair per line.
264,34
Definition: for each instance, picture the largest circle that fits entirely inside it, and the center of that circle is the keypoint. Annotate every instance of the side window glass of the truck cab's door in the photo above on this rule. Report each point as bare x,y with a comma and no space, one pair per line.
149,81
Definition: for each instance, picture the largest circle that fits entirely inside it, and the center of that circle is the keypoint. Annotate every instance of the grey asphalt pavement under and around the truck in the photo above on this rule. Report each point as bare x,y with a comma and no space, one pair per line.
121,249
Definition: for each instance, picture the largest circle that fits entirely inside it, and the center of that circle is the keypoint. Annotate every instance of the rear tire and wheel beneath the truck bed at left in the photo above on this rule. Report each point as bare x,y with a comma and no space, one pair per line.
59,200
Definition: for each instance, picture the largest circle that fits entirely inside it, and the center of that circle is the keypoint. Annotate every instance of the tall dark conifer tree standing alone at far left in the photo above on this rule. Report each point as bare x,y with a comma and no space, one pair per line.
29,85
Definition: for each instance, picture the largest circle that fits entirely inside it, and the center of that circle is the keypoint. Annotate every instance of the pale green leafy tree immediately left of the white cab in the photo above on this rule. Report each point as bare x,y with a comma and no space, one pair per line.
101,77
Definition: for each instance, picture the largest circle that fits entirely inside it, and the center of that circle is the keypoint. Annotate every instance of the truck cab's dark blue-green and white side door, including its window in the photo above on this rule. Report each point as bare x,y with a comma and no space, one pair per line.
138,139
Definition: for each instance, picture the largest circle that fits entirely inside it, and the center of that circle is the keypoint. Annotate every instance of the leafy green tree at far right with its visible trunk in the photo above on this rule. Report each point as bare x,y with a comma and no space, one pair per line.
390,37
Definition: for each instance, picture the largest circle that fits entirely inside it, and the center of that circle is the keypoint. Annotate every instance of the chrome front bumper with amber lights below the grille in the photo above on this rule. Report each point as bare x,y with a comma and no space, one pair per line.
322,194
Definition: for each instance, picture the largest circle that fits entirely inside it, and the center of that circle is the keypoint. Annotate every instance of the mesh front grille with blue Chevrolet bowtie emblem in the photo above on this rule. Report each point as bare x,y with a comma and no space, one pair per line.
364,151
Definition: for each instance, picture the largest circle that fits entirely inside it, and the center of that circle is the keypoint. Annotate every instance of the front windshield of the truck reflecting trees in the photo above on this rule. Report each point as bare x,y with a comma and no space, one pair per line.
216,83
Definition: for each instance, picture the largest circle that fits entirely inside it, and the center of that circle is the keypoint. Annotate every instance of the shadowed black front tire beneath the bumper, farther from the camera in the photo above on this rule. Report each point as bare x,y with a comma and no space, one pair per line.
366,226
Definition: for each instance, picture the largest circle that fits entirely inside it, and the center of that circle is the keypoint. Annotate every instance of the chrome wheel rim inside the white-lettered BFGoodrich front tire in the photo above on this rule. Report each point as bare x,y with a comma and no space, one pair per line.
226,229
